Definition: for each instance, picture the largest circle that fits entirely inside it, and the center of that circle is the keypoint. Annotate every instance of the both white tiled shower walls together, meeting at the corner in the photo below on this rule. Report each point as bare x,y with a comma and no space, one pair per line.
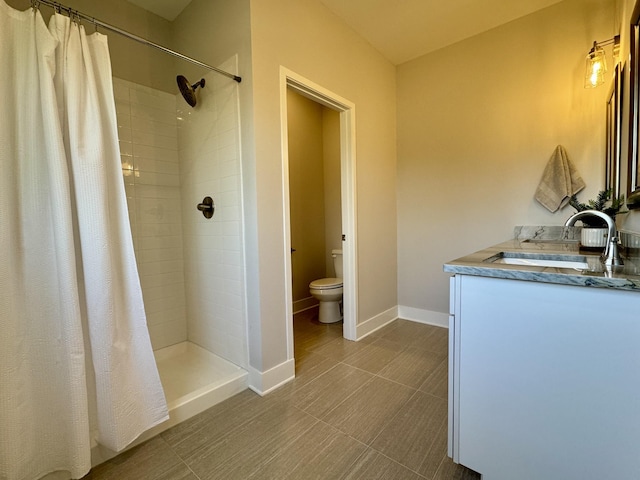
191,268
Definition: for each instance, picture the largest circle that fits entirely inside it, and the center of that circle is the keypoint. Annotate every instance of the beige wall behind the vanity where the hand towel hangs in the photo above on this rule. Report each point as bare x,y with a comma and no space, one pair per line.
477,122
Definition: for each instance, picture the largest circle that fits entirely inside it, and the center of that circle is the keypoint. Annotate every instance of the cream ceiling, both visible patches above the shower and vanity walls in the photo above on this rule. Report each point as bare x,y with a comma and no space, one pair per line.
405,29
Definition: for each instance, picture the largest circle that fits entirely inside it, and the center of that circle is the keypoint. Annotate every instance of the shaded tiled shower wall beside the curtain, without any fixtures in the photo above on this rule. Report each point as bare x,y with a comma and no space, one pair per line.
147,128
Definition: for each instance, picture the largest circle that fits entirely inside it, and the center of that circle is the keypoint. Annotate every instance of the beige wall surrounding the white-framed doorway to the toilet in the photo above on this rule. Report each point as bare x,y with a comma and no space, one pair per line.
306,38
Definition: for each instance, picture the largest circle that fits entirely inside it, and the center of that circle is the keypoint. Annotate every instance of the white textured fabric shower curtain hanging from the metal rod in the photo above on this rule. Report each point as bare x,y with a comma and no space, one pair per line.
76,364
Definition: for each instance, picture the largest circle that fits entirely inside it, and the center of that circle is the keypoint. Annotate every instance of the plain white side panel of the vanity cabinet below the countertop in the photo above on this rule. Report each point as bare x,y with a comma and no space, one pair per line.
544,380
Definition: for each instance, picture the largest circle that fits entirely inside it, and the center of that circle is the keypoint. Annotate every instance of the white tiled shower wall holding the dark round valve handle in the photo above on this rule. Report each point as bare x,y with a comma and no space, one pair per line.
210,165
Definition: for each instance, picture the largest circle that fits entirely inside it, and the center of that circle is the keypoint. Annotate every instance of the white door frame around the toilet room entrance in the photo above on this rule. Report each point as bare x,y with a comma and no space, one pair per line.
321,95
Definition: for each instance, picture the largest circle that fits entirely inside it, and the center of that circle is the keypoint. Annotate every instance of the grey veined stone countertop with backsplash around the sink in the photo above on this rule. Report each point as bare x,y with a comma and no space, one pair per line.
556,241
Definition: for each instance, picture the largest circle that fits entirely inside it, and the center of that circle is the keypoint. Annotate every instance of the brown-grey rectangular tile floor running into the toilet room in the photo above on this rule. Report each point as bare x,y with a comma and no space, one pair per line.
374,409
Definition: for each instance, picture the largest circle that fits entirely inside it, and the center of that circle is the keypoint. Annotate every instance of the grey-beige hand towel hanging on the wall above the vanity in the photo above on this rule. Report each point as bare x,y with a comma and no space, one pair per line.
560,180
